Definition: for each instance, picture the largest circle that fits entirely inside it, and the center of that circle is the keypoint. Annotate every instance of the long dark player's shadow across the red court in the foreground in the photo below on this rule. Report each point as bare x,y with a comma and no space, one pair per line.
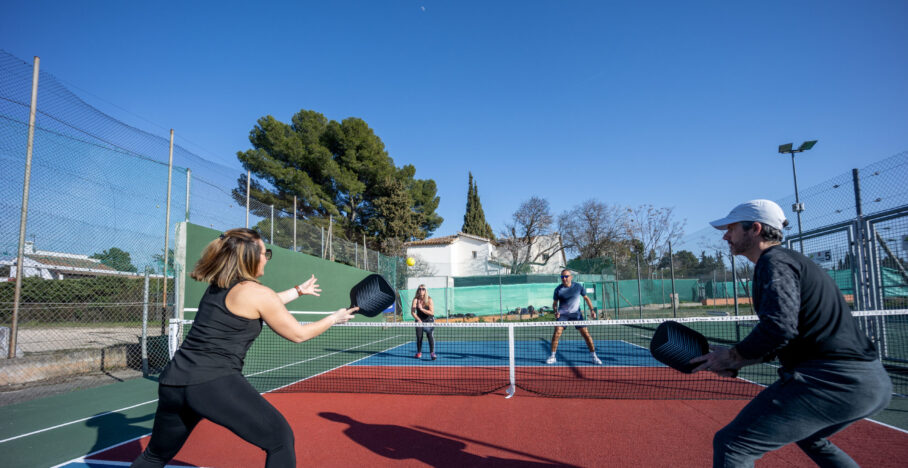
402,443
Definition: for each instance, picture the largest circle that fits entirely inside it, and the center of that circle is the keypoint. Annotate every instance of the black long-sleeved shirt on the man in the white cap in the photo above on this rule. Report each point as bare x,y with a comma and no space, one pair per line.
803,315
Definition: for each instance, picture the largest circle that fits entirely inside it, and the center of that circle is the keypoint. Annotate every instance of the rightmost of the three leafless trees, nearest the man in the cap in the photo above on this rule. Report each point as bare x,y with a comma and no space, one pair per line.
653,228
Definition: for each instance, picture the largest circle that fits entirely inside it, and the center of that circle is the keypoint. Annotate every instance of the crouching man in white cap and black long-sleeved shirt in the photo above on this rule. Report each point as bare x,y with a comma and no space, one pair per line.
830,375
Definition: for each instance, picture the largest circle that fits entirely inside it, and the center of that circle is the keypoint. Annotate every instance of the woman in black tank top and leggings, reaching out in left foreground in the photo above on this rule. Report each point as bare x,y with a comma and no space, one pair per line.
204,379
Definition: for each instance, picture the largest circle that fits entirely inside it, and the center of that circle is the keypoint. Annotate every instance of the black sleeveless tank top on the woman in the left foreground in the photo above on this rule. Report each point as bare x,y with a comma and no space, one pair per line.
216,344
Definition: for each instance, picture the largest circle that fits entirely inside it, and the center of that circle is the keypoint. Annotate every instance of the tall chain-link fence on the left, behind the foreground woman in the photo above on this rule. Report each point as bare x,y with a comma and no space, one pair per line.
98,267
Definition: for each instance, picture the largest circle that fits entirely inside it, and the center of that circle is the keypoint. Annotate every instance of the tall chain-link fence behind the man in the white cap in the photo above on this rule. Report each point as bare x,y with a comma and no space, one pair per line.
855,226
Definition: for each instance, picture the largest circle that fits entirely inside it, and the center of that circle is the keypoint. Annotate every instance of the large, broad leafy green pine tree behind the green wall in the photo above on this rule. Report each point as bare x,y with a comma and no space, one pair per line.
338,169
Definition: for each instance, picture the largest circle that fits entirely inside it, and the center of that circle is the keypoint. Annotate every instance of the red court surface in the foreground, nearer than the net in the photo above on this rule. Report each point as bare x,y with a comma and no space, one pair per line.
342,430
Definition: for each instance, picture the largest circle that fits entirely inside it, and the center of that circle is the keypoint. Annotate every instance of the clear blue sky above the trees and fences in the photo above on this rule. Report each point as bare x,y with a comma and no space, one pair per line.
678,104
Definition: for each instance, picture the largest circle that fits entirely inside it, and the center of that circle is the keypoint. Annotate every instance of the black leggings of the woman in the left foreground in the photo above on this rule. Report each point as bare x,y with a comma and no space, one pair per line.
229,401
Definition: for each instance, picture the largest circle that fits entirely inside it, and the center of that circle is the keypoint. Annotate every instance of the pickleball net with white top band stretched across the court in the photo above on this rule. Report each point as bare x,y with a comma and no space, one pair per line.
482,358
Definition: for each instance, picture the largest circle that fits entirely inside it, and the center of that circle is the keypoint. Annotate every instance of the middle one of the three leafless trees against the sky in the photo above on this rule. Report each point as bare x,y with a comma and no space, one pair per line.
592,229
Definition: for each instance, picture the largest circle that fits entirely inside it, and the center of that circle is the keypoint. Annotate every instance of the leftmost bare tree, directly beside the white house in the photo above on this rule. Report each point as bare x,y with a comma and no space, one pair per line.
528,239
